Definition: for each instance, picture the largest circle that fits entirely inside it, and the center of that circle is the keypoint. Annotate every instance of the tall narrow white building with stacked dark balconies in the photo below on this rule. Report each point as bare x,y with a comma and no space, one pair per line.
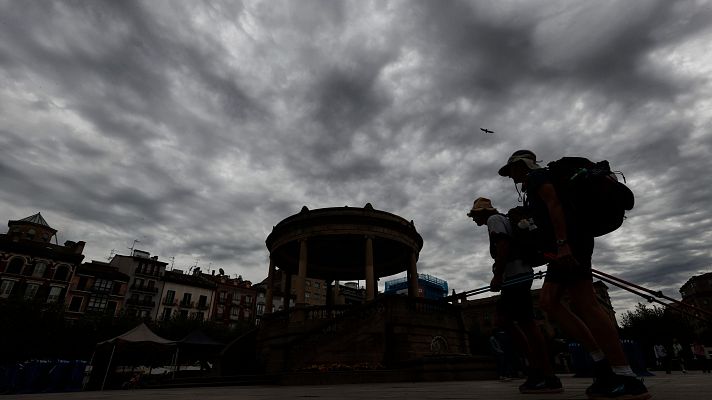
145,280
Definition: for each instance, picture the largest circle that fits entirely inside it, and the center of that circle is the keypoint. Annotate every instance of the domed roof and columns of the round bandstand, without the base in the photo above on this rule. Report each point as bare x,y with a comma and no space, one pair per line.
342,243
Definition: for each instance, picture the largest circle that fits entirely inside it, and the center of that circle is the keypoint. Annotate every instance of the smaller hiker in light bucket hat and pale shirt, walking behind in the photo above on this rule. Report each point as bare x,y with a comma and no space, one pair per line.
513,277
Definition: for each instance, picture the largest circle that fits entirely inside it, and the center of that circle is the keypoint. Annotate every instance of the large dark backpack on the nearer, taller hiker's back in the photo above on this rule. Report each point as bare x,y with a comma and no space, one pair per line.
598,200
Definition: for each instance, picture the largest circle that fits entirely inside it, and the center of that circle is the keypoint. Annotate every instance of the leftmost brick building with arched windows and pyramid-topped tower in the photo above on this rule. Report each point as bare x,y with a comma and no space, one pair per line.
33,268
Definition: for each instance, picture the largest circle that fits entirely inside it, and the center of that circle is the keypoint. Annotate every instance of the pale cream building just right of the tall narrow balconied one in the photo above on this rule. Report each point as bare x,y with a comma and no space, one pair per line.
185,296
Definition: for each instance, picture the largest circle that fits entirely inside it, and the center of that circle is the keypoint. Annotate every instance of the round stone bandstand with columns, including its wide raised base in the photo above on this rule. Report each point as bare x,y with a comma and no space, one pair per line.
408,334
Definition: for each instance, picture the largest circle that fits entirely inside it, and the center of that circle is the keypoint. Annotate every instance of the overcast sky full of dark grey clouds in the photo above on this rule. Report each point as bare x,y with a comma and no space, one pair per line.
195,127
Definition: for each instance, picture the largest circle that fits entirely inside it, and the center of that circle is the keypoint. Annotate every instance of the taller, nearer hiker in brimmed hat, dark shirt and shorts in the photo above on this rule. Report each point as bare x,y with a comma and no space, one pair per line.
565,234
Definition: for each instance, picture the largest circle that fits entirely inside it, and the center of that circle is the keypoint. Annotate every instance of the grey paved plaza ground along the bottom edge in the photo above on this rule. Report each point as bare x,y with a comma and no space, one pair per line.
692,386
